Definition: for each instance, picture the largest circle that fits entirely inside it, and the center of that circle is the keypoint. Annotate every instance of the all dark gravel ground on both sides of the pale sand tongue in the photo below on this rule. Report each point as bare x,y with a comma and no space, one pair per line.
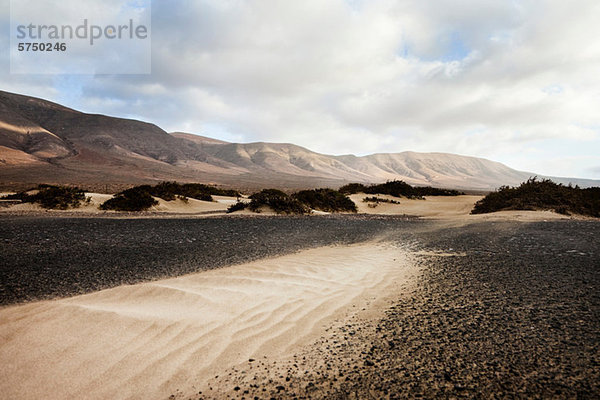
505,310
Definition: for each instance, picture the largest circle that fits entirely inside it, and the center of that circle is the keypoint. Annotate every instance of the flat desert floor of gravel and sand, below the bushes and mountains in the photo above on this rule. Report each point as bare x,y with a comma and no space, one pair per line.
412,300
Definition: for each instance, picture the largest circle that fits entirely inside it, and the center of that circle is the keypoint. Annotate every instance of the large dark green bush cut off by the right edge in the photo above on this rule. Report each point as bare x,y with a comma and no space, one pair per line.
542,195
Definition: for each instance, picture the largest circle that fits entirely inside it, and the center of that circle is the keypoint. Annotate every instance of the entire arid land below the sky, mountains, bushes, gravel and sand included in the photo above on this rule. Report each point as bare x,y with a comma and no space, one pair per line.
194,291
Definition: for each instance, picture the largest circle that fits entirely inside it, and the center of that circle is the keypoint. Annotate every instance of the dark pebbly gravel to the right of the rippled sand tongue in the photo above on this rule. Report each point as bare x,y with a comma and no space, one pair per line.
518,316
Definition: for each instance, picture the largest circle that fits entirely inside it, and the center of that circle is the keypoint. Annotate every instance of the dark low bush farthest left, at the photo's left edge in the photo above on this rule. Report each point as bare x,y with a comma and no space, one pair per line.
52,197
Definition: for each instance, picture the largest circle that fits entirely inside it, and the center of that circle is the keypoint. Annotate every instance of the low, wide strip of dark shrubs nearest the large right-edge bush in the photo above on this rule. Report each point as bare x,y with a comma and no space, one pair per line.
398,189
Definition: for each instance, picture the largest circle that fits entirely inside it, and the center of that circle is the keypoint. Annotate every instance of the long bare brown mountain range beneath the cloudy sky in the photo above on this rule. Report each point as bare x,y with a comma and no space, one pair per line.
41,141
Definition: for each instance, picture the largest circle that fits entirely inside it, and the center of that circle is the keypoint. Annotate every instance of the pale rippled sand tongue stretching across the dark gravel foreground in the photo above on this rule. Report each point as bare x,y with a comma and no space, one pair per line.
176,333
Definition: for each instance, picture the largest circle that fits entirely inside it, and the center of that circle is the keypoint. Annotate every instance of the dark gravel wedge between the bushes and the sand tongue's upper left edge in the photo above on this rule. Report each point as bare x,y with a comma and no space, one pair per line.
47,257
